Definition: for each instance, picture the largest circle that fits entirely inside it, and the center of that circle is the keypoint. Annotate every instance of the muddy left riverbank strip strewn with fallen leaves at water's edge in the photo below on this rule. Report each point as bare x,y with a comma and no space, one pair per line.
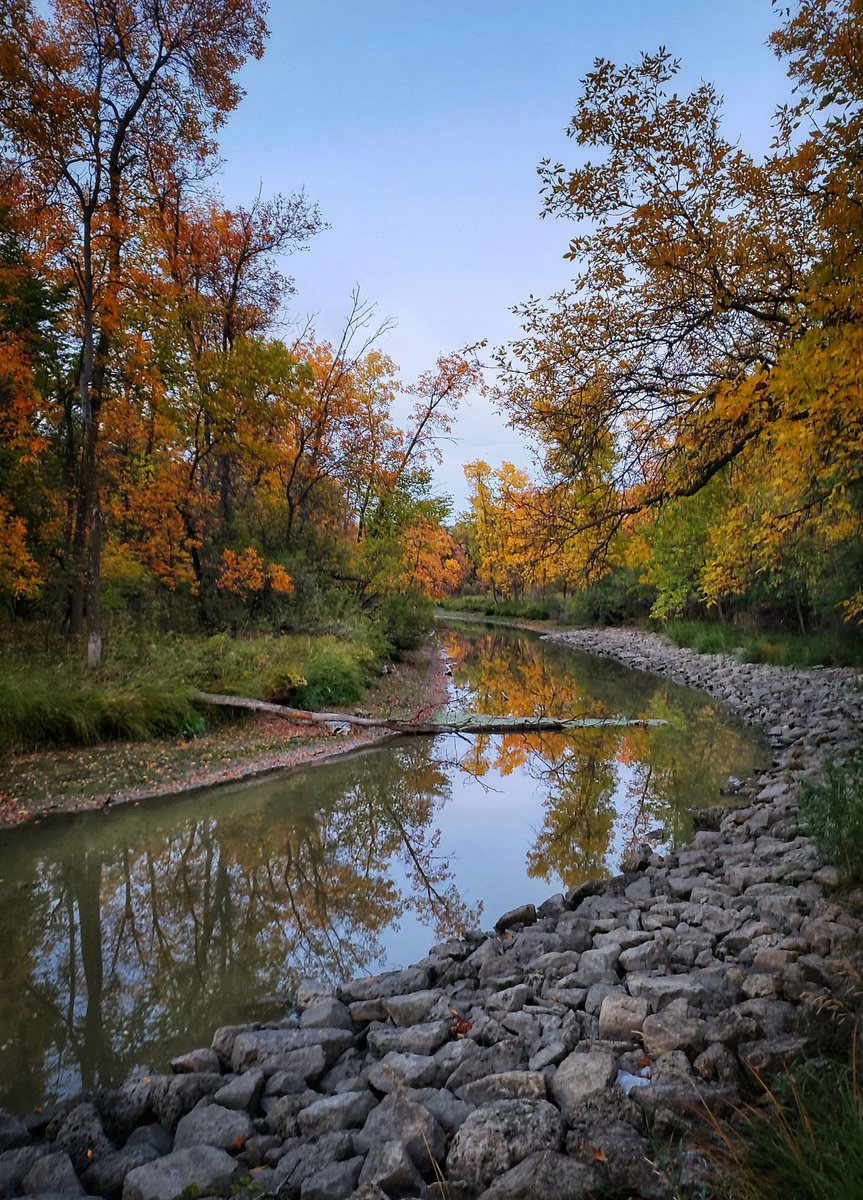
44,784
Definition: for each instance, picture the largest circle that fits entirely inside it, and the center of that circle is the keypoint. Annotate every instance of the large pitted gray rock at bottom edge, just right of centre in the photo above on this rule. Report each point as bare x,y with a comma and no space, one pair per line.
498,1137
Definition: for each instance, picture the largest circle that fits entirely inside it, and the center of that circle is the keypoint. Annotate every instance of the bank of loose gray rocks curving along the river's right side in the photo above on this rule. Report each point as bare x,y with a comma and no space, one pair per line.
572,1052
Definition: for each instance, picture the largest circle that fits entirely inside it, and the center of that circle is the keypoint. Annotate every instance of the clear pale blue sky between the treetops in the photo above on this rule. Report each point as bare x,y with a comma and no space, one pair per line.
418,125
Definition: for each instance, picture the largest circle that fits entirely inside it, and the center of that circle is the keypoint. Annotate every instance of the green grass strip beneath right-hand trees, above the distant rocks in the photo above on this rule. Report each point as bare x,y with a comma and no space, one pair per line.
780,649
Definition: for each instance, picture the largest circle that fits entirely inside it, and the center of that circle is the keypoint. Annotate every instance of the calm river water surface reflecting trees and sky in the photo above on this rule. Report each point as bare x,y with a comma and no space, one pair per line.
128,937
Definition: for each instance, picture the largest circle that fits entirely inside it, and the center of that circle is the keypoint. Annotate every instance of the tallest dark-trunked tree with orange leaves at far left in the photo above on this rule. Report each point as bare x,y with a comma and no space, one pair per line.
86,94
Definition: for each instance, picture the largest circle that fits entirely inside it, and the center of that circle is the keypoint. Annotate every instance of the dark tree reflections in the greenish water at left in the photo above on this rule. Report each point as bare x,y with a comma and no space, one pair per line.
139,927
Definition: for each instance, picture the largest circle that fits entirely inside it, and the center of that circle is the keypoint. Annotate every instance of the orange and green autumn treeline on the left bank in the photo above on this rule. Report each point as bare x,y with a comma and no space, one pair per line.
166,452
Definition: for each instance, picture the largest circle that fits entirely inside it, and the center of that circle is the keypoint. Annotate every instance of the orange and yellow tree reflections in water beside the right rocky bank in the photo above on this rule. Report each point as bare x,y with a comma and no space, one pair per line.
604,790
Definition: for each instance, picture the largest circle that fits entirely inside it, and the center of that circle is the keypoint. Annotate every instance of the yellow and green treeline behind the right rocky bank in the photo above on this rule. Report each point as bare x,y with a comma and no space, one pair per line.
697,394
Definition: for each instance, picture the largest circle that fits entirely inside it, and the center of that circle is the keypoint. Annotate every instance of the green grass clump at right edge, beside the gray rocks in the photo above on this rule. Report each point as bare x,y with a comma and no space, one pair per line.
832,813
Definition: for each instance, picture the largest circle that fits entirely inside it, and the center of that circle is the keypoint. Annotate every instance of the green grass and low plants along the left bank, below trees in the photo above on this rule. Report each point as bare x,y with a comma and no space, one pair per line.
146,687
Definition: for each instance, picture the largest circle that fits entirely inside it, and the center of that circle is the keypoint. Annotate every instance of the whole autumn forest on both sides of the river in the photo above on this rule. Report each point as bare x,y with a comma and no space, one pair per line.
178,460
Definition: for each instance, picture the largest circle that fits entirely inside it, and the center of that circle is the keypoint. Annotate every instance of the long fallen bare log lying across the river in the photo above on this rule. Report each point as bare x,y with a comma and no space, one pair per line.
466,723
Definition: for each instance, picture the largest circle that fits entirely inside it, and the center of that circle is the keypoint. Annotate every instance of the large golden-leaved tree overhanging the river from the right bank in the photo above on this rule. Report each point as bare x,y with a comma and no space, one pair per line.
717,304
